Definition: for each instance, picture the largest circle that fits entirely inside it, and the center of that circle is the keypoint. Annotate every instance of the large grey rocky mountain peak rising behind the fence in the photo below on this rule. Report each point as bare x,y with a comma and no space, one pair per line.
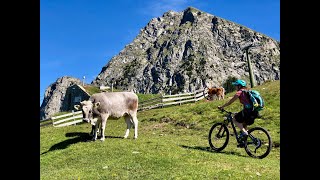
185,51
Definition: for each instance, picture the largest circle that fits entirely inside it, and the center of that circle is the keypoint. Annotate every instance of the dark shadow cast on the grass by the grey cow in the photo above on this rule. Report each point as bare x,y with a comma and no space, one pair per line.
79,137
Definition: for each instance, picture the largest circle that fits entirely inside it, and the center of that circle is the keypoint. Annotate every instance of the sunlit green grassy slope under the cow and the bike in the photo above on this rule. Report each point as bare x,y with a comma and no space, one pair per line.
172,144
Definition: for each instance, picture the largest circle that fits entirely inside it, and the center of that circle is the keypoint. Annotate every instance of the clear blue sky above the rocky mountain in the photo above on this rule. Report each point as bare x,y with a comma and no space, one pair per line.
79,37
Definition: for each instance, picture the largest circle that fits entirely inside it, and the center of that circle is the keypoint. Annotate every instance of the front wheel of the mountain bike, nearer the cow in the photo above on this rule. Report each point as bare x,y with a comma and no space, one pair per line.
218,136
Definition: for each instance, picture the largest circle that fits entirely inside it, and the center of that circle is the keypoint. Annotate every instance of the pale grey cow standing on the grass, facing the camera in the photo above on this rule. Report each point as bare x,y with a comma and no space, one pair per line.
101,106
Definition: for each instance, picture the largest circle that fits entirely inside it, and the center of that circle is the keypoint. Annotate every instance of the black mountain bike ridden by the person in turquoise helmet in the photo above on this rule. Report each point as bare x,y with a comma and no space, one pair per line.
257,145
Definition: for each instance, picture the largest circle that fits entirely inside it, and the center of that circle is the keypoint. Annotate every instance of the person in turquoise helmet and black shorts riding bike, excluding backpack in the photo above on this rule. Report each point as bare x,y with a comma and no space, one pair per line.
246,116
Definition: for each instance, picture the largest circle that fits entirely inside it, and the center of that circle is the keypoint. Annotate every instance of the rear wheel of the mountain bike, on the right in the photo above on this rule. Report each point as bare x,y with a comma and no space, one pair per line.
258,143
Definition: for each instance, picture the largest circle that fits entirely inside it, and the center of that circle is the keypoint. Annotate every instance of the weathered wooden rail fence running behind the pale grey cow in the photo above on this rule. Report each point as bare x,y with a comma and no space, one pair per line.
159,102
